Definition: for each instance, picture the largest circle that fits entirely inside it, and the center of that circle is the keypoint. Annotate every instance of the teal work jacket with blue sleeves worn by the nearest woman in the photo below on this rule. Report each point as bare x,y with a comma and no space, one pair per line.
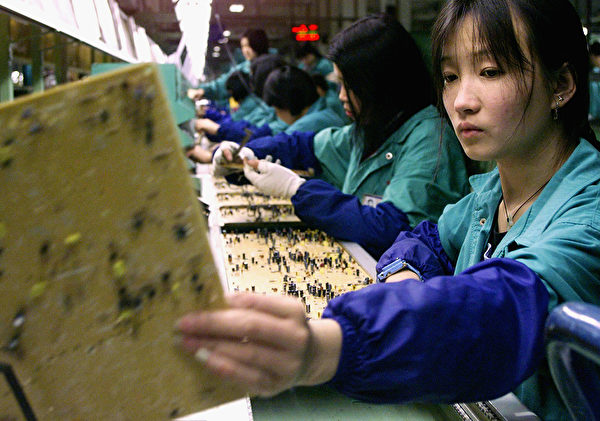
473,330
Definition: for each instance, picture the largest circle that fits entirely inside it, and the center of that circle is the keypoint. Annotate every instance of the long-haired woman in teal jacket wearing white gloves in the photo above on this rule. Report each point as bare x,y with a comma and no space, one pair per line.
399,163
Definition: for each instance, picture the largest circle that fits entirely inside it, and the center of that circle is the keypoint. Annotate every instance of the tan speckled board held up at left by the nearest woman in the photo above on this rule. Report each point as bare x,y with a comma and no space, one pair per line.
102,248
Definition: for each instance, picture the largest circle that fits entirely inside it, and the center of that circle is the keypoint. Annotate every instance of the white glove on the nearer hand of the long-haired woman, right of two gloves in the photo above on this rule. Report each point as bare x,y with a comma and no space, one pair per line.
273,179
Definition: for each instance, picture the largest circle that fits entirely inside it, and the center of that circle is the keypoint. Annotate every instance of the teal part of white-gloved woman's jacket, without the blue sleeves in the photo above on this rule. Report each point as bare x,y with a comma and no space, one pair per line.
410,169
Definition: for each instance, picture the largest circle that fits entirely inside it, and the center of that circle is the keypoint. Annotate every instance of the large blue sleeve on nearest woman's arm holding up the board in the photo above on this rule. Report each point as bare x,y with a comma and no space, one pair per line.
469,337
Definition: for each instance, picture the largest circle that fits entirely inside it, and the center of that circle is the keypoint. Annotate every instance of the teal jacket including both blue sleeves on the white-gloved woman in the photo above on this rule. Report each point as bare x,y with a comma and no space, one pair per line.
412,174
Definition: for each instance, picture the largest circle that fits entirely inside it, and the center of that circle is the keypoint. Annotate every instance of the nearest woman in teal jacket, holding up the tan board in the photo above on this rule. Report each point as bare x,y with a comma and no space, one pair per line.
464,320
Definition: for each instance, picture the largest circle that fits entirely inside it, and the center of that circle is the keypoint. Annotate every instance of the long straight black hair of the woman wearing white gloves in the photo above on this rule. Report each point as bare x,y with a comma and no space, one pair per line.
381,64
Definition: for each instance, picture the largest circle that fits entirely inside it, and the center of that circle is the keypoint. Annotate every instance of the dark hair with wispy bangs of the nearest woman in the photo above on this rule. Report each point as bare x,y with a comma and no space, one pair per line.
494,30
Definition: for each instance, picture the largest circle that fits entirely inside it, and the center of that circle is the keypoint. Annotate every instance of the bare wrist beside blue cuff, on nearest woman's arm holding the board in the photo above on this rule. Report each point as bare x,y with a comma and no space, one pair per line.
323,353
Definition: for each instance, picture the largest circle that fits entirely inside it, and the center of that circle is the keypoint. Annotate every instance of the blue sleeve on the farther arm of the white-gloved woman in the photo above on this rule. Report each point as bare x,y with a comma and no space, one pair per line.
295,150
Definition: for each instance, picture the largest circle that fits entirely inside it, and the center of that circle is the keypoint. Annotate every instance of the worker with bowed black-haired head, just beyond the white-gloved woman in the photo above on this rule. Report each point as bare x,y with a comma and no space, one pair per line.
292,93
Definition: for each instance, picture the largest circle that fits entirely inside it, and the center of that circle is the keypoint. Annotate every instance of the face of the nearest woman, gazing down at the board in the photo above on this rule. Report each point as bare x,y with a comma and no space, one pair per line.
489,108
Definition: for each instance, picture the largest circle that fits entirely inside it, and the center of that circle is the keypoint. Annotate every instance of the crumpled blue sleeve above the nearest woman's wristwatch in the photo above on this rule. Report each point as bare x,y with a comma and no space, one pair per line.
422,248
